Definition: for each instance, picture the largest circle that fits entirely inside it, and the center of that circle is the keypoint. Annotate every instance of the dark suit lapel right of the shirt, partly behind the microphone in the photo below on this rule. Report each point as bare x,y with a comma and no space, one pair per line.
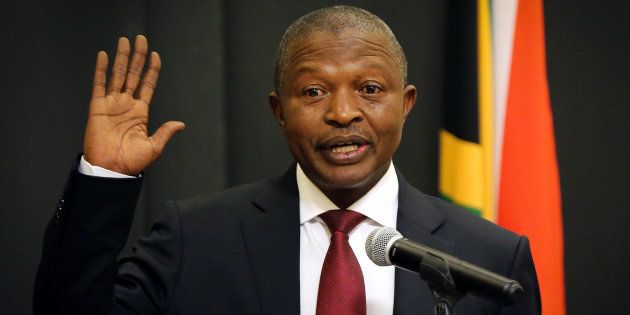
417,220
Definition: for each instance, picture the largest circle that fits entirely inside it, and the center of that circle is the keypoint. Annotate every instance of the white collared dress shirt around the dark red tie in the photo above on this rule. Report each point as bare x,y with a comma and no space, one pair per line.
380,206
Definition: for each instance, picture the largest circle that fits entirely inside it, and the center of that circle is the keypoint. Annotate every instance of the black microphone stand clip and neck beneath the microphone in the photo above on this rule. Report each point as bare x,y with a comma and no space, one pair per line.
436,272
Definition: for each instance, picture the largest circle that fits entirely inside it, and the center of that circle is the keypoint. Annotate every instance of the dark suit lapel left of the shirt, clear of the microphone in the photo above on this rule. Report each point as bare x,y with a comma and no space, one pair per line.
272,239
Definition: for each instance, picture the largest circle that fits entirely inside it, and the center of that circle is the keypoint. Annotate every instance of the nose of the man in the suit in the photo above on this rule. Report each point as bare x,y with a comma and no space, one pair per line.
343,110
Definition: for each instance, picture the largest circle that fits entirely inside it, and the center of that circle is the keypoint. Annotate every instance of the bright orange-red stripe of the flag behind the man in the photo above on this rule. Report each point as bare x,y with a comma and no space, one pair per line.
529,191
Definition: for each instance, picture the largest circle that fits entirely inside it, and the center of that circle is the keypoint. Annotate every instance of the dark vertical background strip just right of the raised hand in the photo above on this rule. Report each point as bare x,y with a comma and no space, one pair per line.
190,39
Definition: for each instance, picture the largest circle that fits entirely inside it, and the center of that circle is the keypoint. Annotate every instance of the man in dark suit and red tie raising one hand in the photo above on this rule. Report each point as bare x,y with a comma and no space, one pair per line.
340,99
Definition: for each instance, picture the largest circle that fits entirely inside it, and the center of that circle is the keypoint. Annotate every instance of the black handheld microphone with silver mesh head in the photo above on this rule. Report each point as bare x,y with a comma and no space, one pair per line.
385,246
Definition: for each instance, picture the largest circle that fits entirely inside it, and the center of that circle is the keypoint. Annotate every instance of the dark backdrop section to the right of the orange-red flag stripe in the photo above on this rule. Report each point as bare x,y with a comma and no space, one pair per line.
588,49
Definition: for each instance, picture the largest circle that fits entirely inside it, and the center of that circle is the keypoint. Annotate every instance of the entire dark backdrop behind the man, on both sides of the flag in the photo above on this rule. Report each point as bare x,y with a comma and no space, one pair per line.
217,73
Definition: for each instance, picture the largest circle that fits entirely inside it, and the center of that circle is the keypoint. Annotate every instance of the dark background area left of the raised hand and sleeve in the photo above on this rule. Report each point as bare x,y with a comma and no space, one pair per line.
46,62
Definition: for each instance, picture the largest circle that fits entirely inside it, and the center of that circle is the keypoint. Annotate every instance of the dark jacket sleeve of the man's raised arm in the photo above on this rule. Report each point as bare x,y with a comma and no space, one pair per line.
78,271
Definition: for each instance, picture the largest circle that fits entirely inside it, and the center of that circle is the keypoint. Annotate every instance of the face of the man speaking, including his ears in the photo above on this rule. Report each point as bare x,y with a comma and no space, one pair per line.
342,107
